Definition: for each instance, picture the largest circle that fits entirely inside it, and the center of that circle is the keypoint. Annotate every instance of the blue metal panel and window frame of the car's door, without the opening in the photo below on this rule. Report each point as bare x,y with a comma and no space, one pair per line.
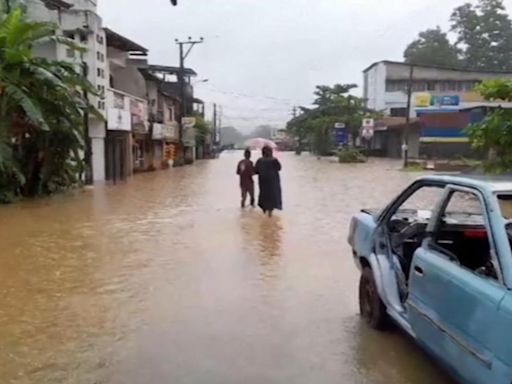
451,308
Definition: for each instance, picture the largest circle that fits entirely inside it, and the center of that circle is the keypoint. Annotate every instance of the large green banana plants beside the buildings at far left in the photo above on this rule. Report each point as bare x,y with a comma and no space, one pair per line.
41,111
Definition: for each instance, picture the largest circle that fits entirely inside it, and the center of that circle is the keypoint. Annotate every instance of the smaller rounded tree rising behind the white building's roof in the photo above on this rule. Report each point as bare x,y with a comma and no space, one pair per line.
432,47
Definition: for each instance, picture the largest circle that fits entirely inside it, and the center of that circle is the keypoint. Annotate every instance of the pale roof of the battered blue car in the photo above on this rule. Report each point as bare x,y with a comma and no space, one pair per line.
490,183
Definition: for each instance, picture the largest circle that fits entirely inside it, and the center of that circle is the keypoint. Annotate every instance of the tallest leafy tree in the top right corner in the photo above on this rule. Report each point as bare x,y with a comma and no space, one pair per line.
484,33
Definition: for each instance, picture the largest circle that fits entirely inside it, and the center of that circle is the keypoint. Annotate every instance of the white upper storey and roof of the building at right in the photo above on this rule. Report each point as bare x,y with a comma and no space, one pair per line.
386,83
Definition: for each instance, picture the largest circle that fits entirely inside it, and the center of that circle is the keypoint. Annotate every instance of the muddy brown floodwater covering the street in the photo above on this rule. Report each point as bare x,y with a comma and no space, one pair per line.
165,280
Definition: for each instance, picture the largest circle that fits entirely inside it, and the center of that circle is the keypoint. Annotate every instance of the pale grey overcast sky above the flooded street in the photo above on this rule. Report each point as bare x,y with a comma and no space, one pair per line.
264,56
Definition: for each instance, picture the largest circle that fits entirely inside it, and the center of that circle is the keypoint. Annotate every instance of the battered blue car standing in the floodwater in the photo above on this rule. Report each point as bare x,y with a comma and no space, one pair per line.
437,261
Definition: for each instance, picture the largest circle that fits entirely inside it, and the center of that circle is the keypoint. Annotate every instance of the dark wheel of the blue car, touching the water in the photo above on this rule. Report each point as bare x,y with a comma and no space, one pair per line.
371,306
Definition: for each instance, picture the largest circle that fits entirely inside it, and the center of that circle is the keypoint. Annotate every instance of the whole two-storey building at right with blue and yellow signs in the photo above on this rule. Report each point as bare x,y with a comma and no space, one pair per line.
443,103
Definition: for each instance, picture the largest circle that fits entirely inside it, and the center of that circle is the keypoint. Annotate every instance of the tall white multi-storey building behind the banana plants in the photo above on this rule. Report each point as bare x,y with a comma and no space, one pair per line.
79,21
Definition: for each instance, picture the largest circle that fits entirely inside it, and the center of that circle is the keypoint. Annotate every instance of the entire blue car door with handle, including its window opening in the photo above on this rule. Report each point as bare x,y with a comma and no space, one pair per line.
455,289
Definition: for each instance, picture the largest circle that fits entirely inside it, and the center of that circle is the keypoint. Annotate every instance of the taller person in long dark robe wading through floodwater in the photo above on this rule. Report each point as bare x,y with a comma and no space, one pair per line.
267,168
